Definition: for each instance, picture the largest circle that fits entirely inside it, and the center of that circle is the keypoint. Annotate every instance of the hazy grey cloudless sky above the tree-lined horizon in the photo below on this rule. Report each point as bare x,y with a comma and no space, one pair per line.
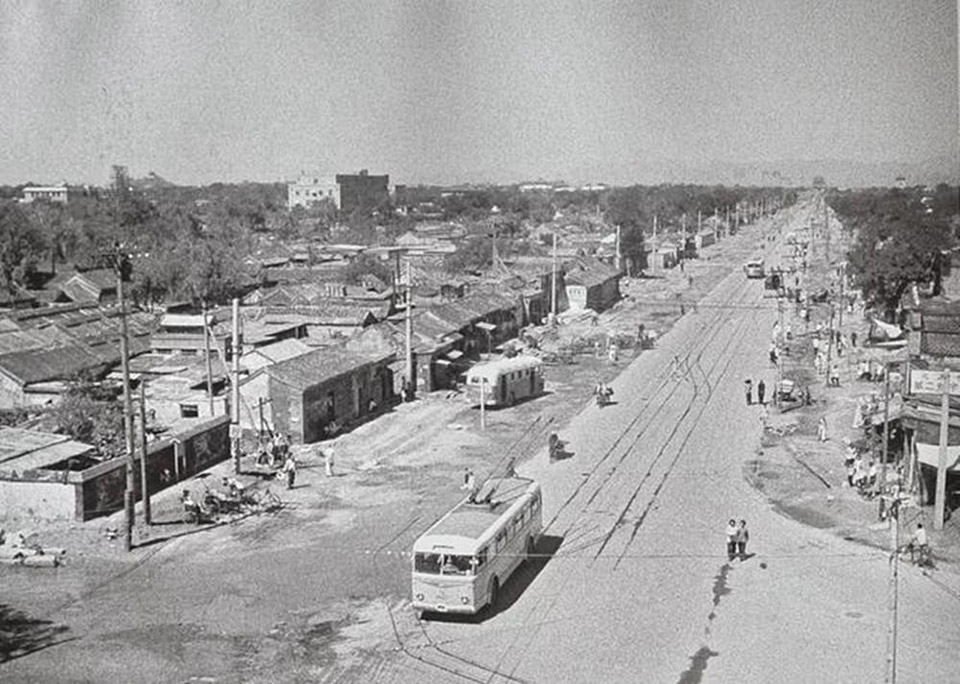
468,91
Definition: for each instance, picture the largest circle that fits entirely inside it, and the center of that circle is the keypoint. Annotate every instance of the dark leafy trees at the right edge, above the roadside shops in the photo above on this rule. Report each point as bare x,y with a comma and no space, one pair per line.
902,237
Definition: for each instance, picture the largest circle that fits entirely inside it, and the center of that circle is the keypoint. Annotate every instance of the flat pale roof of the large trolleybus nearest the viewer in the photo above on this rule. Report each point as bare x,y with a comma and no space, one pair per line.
463,526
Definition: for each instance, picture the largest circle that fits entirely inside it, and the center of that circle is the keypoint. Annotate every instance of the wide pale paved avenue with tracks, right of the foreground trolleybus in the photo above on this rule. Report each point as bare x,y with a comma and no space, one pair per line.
640,589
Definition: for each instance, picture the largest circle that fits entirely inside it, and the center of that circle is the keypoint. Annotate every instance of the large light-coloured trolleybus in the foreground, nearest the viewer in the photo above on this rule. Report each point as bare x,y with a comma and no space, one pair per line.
462,561
